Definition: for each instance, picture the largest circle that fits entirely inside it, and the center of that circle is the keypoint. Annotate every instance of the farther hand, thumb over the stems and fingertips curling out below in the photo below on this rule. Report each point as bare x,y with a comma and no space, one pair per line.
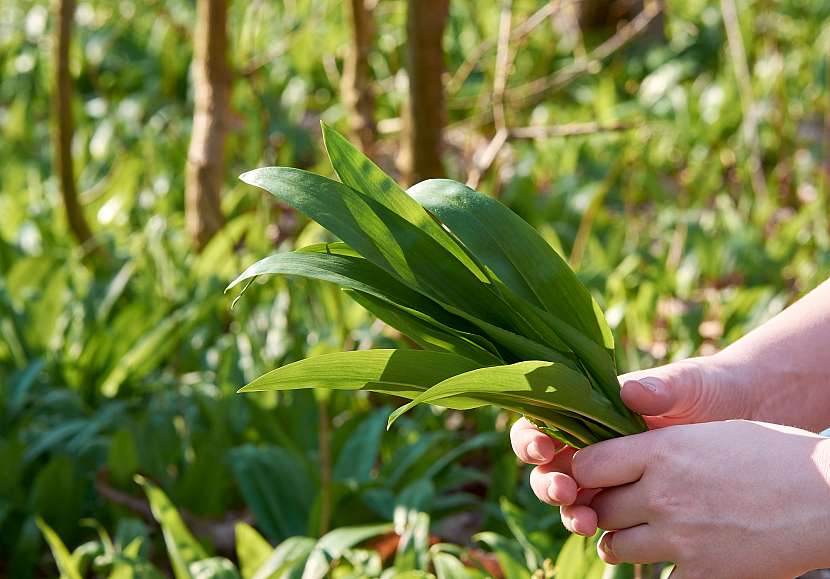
695,390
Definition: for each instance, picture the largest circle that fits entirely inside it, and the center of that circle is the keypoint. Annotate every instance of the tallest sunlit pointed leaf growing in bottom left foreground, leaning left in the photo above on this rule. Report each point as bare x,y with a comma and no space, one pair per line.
182,548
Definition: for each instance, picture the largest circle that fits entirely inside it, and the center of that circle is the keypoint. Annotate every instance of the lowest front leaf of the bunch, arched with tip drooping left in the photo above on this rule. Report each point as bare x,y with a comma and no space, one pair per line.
531,383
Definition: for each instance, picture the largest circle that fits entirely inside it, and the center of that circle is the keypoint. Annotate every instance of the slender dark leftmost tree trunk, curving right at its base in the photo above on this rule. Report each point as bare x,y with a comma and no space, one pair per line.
64,127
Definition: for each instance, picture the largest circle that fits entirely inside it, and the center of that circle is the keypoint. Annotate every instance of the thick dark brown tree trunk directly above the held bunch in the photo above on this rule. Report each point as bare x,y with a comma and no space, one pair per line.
425,115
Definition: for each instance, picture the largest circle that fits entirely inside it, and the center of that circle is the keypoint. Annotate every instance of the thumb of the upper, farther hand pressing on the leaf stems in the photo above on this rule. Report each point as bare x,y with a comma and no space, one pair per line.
671,391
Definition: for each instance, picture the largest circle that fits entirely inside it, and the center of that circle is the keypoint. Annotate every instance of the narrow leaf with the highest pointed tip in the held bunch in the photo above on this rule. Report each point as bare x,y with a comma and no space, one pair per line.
359,172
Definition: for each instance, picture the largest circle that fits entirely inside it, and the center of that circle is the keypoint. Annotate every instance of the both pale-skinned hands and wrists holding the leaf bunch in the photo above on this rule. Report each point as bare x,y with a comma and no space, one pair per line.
716,486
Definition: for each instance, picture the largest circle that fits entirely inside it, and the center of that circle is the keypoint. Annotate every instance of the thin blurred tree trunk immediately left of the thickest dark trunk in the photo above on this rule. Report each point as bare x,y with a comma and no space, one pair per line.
356,82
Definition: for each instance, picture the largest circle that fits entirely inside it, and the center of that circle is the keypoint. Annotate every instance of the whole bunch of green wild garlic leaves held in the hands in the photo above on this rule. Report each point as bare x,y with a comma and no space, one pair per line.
501,318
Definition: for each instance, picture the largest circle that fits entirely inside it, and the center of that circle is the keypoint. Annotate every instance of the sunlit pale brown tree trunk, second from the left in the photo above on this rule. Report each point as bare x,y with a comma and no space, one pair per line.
211,96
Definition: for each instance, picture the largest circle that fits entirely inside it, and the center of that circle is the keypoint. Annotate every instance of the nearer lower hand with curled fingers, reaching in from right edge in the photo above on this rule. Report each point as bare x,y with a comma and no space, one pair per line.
733,499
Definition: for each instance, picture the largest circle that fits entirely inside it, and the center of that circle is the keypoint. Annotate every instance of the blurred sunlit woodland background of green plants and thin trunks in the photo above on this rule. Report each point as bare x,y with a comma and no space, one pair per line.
675,153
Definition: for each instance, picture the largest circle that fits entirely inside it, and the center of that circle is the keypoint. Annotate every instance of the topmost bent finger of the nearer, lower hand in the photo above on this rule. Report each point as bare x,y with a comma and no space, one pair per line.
613,462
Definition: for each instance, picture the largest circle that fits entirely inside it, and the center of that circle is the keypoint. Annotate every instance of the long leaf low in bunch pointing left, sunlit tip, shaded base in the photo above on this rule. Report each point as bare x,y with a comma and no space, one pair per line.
405,373
